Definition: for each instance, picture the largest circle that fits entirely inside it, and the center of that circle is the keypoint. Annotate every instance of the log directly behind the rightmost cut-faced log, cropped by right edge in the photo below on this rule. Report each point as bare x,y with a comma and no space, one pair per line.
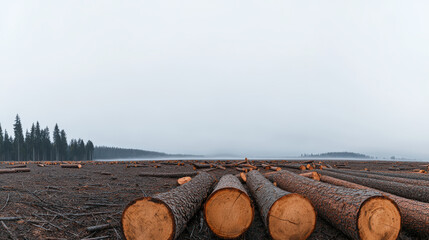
415,214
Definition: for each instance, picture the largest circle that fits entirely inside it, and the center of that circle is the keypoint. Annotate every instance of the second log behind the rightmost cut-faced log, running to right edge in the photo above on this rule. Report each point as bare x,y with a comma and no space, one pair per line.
419,193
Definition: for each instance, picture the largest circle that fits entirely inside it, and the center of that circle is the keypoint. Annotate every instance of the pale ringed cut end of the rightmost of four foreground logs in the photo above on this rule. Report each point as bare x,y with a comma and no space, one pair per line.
379,218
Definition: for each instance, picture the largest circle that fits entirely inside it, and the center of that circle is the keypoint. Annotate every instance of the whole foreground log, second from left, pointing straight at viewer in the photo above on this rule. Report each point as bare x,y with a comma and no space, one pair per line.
228,211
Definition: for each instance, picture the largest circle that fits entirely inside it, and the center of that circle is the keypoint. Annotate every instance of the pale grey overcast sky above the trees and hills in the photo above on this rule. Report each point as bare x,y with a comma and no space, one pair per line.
266,78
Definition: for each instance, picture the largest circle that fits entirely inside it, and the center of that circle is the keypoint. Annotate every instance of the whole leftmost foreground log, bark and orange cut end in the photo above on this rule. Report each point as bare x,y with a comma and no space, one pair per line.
164,216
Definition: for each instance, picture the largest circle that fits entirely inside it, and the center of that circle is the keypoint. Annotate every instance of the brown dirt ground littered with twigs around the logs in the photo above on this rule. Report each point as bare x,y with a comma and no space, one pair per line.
60,203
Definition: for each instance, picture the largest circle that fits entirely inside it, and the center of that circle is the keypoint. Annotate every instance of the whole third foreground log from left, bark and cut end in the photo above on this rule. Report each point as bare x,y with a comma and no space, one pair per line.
286,215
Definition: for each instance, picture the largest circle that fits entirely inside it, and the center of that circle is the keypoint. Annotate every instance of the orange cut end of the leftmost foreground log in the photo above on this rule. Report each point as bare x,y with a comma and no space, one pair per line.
148,218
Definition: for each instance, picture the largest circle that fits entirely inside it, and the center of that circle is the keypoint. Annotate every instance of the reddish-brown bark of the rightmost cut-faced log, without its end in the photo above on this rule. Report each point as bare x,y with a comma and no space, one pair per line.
338,205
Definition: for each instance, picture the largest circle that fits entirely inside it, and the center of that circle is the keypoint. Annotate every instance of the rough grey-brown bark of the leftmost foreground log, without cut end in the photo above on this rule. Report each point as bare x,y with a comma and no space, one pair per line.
183,201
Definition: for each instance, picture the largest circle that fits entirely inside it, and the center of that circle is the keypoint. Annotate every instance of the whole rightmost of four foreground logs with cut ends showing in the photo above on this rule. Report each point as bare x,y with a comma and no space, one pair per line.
360,214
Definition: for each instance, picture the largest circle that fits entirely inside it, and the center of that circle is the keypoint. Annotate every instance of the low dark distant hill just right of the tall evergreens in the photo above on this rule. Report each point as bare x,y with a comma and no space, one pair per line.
102,152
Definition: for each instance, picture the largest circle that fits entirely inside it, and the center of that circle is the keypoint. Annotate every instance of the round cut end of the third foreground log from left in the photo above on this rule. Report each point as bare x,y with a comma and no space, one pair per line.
291,217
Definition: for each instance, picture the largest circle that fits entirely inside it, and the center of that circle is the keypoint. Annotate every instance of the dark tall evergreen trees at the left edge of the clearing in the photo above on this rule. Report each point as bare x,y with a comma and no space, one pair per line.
36,145
